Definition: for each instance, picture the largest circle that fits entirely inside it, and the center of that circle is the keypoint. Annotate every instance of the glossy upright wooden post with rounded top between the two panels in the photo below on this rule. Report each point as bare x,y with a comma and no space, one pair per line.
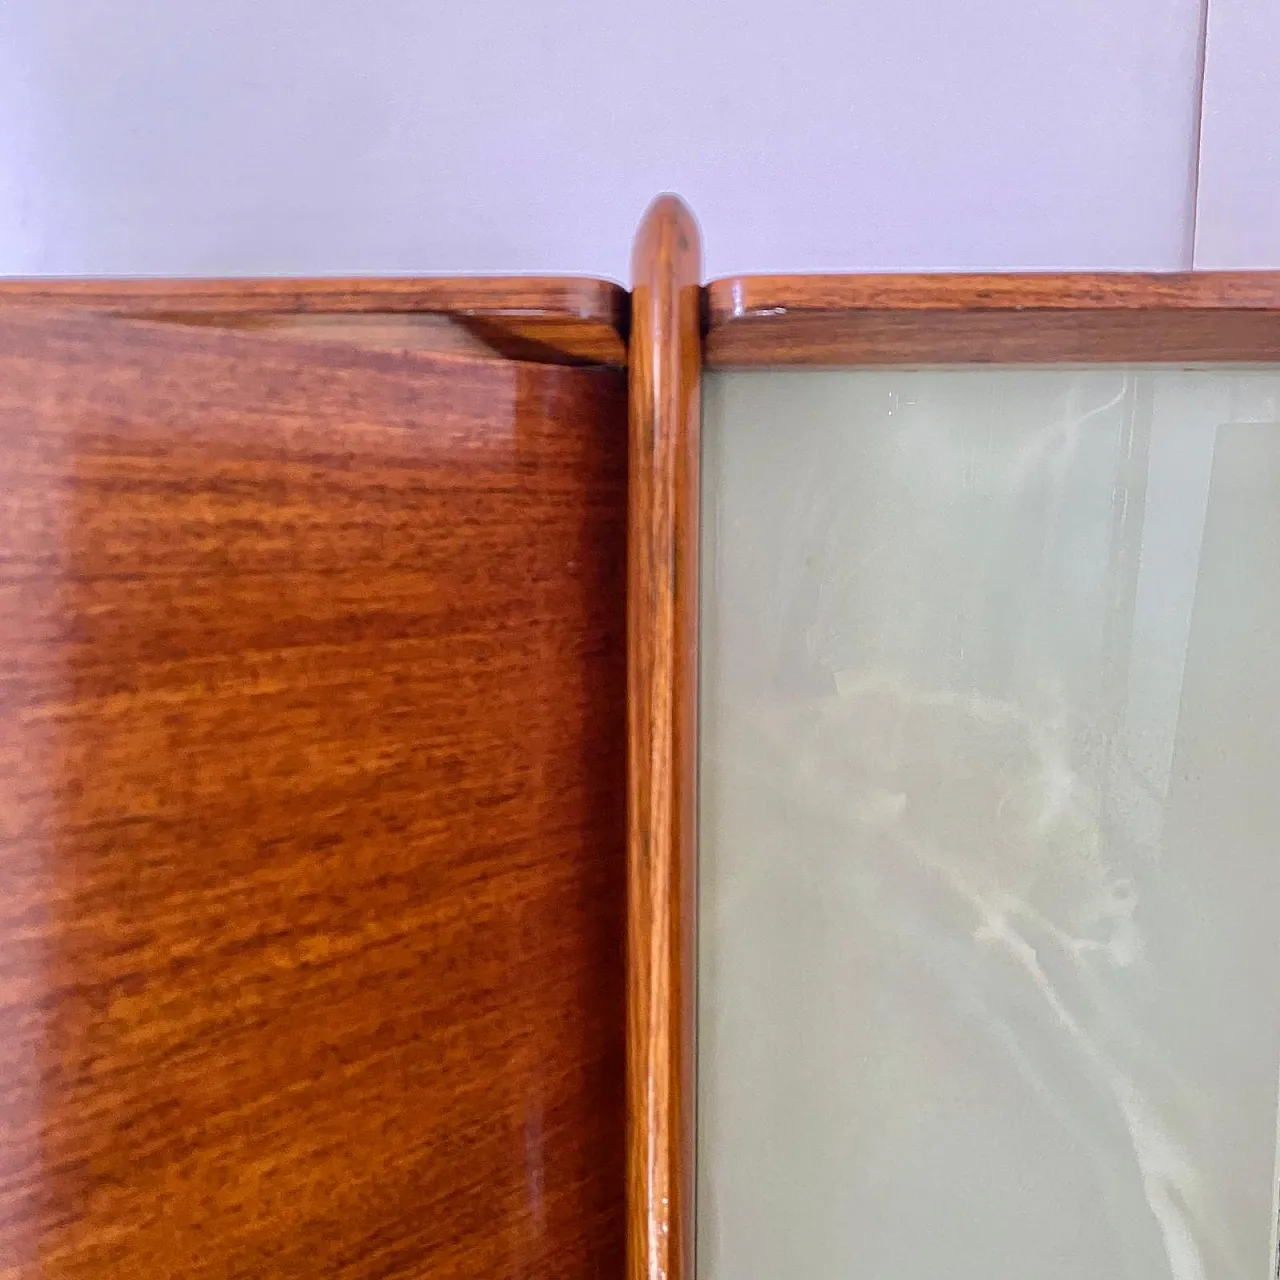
662,706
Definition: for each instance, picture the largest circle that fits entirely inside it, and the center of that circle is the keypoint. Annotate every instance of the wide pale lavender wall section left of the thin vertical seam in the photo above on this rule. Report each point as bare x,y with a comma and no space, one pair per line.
328,136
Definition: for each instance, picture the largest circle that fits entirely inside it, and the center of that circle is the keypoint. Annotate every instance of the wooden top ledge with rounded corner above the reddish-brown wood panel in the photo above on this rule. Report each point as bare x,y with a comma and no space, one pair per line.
541,319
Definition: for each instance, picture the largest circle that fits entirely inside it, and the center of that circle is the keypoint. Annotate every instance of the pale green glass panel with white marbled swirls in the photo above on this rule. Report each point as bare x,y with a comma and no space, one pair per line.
990,825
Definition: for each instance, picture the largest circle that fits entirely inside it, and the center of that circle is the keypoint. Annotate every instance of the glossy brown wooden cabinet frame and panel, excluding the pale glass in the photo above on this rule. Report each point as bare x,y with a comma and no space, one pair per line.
349,744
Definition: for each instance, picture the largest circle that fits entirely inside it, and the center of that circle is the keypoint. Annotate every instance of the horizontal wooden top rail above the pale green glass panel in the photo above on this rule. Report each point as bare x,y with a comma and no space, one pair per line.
1012,319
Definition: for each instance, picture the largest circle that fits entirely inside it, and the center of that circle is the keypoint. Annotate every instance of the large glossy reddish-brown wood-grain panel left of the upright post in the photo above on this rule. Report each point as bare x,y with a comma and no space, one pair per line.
312,824
